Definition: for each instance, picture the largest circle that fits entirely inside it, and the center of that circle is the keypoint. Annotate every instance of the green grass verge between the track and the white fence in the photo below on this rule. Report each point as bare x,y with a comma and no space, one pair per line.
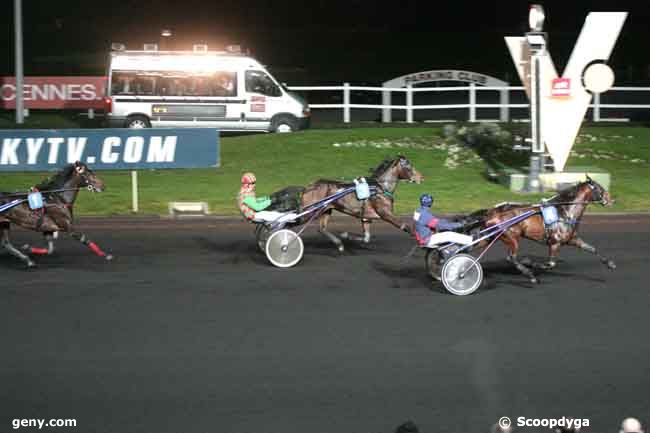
455,177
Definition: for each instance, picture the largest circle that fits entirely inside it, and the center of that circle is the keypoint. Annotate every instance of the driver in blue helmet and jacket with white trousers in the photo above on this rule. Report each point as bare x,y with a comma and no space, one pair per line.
431,231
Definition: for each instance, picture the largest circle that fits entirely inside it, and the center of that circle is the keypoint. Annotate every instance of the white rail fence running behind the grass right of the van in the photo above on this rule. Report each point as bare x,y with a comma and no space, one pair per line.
472,105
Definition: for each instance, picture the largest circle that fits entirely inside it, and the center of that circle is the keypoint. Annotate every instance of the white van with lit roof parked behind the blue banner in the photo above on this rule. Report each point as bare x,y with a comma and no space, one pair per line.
228,91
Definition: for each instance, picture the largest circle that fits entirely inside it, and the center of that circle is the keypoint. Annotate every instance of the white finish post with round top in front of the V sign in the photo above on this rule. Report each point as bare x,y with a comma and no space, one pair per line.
537,44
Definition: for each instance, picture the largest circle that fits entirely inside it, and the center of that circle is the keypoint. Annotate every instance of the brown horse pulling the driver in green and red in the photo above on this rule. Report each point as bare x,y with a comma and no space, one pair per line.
384,178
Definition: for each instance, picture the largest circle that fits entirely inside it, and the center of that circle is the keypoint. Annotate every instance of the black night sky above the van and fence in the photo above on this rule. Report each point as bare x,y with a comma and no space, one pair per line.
318,41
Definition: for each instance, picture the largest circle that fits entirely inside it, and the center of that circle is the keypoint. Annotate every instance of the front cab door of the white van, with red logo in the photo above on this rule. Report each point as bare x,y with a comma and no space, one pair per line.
264,99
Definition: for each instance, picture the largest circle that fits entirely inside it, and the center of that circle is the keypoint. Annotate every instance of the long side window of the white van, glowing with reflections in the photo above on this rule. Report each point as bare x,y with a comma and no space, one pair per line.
169,83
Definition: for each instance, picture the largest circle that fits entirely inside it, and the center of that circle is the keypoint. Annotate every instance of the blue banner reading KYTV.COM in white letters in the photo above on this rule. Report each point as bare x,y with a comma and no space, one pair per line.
102,149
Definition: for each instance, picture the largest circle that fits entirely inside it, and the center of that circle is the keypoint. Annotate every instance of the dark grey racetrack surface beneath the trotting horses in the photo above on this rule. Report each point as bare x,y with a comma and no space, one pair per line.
190,329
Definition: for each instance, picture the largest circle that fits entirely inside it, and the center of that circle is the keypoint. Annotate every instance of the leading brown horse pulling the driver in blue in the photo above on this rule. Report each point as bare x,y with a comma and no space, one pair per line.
570,204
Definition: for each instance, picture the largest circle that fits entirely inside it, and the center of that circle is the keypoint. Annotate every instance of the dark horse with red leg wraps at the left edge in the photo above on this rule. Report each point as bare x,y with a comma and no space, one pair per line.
60,192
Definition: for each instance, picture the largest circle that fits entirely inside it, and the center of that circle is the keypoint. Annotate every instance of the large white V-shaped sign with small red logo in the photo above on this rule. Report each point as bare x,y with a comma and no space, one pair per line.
562,116
